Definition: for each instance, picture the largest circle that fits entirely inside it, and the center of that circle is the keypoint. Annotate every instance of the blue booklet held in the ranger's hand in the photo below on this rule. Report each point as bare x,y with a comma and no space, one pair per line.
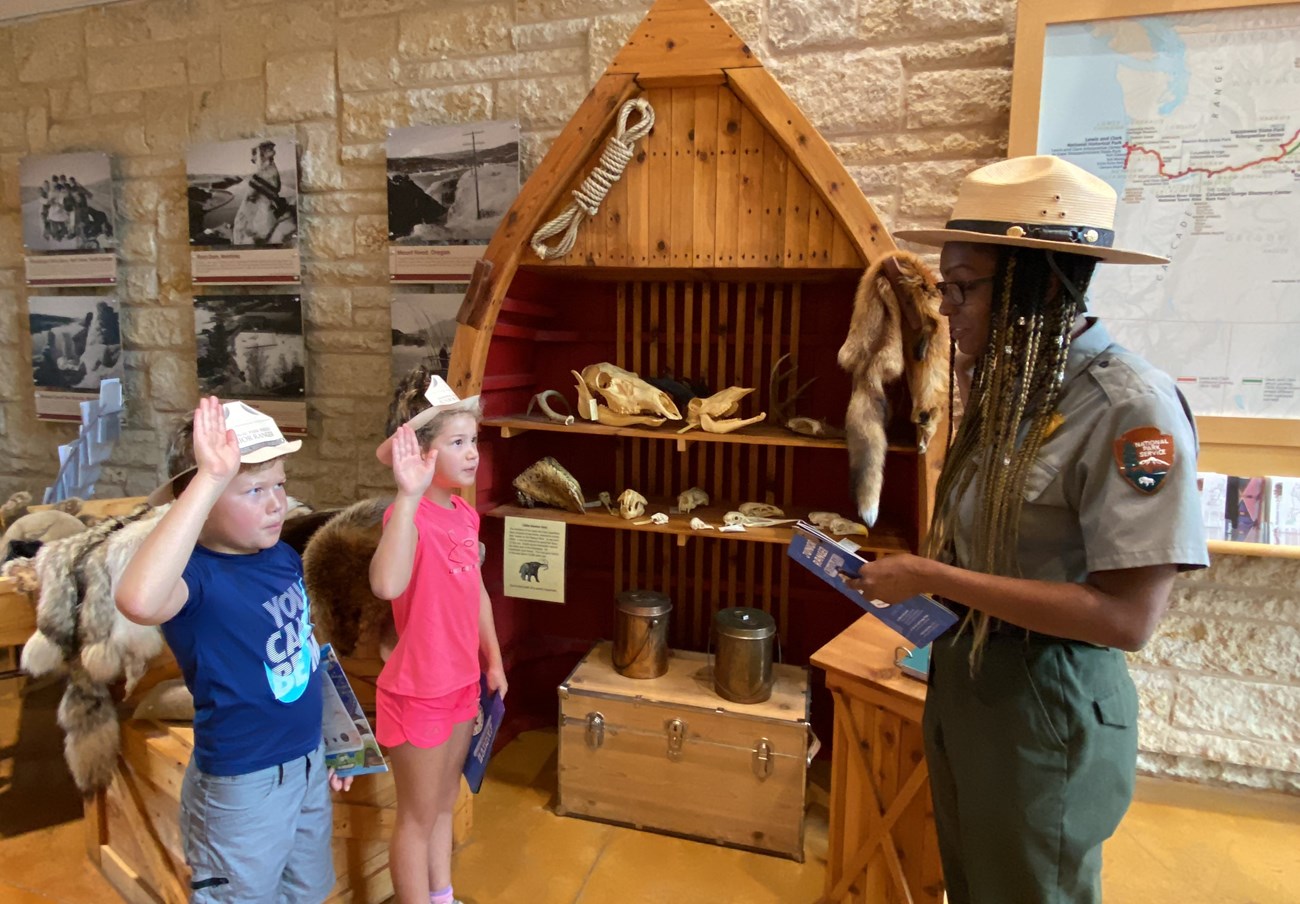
920,620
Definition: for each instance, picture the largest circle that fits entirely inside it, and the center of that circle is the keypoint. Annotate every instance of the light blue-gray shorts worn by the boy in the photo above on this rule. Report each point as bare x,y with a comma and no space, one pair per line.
261,838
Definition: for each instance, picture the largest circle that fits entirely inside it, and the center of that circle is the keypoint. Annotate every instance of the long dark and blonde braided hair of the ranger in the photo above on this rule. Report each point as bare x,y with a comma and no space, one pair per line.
1019,377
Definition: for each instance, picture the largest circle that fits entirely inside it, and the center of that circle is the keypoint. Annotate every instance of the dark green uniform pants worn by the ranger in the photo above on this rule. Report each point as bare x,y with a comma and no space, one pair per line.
1032,767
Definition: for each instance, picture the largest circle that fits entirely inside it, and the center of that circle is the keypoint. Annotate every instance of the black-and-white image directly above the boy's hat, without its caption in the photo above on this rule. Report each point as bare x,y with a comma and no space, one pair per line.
250,347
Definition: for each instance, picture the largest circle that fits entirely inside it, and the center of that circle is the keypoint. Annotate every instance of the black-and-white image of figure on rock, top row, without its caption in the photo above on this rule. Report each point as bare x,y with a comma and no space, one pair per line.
244,193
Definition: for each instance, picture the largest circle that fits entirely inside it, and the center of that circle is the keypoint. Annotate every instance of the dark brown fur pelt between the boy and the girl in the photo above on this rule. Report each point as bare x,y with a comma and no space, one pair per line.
337,568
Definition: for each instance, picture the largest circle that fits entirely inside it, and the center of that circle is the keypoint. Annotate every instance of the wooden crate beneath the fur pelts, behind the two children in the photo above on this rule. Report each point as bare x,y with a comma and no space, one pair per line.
133,827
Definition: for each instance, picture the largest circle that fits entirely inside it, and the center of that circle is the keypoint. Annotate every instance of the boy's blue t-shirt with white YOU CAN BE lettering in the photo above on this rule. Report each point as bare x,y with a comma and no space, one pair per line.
245,645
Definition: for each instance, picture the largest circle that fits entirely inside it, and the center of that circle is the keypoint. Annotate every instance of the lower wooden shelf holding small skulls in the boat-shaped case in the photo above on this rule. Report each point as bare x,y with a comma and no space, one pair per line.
882,542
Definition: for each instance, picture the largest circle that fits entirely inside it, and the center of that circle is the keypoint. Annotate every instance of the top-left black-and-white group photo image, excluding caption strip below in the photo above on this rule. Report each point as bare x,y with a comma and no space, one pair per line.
67,204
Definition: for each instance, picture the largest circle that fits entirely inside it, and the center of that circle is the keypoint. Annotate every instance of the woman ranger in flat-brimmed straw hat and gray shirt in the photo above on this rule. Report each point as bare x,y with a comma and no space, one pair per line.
1065,509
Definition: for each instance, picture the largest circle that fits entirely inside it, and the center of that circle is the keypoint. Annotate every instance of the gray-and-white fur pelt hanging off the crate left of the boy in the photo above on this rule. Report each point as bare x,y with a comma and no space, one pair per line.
79,626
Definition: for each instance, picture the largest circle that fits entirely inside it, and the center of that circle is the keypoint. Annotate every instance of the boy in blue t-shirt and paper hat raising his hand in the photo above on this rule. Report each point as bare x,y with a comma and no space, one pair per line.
255,807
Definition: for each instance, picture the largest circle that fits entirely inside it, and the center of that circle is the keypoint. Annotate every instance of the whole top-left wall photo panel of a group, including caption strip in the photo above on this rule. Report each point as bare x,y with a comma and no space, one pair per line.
68,219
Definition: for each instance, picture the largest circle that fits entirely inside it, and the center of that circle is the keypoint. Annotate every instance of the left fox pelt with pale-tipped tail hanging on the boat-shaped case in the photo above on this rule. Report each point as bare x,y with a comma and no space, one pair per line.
873,356
